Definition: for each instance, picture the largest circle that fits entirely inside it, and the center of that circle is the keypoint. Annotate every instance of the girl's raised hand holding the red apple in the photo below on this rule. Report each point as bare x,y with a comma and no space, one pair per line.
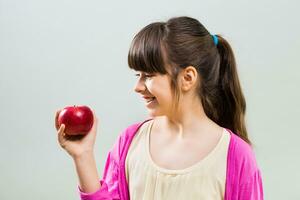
79,144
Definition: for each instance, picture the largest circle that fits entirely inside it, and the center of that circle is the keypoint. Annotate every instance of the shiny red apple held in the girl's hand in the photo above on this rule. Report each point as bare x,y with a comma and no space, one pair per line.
78,120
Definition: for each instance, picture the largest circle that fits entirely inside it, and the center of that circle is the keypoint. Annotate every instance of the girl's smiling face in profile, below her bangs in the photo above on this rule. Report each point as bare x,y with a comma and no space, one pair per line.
155,89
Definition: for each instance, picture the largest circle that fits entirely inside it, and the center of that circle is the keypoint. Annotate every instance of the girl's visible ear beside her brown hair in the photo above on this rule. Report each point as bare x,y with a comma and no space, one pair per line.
189,77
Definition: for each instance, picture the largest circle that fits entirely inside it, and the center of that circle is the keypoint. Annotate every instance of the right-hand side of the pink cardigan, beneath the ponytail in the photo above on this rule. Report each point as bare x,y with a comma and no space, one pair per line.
243,179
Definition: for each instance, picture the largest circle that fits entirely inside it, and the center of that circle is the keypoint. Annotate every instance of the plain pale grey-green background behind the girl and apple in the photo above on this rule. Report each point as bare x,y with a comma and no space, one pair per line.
64,52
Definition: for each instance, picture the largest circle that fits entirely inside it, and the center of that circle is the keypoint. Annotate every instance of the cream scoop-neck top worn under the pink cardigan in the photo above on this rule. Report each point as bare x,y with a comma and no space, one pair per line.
204,180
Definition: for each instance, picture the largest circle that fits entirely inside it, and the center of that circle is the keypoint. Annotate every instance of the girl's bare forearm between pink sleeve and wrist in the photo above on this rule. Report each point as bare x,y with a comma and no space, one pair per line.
87,173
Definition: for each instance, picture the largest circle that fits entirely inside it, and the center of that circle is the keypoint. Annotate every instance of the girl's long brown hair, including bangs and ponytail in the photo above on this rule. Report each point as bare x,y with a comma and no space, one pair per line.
184,41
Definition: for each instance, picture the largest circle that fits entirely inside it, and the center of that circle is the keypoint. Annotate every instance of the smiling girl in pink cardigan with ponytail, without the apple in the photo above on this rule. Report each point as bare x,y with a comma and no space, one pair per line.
195,143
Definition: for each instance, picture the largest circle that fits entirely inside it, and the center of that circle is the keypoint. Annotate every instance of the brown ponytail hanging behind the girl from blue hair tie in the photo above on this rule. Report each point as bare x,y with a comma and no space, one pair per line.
232,115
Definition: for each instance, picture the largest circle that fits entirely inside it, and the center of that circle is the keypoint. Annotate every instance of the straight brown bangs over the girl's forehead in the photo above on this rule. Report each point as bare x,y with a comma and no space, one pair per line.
145,53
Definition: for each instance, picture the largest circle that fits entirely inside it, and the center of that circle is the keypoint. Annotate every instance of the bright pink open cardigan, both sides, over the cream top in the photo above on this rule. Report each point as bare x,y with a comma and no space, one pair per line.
243,177
